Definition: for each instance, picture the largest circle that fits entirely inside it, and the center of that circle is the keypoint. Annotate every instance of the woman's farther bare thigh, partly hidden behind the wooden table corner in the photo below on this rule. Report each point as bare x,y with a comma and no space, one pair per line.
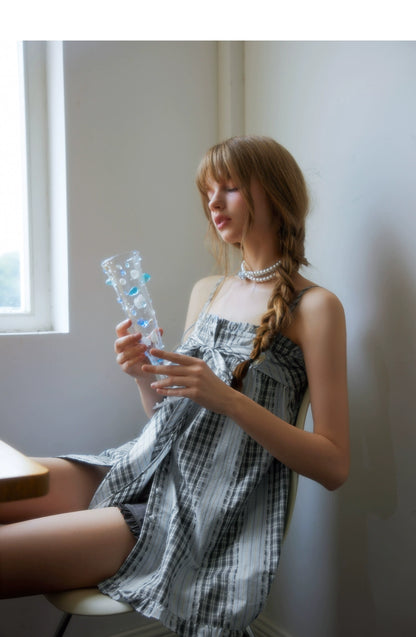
71,487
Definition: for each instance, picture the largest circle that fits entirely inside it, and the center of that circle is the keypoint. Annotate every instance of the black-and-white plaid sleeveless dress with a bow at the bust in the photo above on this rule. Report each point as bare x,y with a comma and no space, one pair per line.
211,537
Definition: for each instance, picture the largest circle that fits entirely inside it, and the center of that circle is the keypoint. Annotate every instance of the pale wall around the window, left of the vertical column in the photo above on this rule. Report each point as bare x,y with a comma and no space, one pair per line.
138,117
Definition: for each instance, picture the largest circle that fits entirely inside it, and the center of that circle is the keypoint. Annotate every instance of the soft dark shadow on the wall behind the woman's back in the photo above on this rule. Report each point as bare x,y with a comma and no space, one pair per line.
377,519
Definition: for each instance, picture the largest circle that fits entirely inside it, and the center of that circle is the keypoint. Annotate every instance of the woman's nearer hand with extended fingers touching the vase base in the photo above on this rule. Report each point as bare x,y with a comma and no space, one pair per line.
191,378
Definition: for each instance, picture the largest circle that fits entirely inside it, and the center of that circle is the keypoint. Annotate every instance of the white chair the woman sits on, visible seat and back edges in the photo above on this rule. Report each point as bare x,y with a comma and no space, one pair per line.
89,601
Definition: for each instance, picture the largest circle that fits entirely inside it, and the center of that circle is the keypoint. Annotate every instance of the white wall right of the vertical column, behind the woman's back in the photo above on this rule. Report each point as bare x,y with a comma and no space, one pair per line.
347,113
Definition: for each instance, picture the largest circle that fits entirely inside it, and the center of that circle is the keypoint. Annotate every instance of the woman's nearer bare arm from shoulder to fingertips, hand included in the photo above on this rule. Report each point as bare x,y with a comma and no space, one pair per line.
319,328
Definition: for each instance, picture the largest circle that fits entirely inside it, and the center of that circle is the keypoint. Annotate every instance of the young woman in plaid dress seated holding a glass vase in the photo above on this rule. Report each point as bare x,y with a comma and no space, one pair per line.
186,521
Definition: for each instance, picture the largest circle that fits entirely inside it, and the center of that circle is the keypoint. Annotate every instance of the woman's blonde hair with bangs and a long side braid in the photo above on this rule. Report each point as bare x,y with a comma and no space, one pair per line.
240,160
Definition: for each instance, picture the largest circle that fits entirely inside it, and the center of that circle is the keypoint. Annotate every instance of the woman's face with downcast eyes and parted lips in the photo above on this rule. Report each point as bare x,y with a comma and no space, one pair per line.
230,212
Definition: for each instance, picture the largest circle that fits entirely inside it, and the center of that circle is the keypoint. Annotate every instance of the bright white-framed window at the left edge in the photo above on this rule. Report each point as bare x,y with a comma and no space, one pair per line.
32,189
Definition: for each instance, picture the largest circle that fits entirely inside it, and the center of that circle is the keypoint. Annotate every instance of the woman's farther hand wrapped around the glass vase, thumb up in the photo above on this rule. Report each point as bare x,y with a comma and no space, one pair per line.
131,353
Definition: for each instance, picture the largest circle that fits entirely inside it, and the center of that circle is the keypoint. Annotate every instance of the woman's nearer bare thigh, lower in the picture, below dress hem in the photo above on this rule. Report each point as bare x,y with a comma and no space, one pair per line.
64,551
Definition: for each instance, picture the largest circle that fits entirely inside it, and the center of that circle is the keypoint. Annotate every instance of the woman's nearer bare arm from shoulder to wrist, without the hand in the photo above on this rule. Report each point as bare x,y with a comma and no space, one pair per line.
324,454
